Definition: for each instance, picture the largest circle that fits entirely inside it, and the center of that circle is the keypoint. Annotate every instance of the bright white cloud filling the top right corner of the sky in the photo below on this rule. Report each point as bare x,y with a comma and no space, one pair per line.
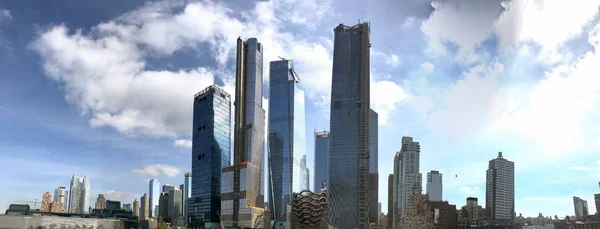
546,22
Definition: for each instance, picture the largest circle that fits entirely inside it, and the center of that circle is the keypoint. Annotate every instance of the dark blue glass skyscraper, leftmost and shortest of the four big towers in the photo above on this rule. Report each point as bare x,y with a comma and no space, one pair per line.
211,141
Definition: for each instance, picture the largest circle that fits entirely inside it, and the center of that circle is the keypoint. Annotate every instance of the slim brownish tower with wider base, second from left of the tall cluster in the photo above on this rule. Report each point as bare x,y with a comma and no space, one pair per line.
242,198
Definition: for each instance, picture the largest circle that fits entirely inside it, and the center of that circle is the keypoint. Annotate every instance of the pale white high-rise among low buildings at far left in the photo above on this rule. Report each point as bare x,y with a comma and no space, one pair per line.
79,195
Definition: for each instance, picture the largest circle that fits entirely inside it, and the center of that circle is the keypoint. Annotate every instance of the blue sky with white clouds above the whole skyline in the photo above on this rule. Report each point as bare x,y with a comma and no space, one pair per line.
105,89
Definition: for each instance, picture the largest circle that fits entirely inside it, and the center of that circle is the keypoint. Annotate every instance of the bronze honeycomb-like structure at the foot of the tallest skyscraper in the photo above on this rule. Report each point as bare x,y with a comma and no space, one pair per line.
309,210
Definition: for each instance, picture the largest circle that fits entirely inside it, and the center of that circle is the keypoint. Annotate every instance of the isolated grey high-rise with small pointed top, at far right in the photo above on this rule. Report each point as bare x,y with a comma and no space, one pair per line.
500,190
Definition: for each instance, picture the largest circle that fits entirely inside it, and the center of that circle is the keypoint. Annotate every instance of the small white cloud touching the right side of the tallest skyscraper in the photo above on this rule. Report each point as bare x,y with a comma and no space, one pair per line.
385,96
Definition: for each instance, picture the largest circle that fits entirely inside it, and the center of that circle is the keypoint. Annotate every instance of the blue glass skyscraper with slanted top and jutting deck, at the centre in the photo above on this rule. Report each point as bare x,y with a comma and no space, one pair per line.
287,145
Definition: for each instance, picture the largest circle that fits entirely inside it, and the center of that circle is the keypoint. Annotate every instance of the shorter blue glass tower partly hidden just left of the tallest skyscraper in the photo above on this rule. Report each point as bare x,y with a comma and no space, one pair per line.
321,160
